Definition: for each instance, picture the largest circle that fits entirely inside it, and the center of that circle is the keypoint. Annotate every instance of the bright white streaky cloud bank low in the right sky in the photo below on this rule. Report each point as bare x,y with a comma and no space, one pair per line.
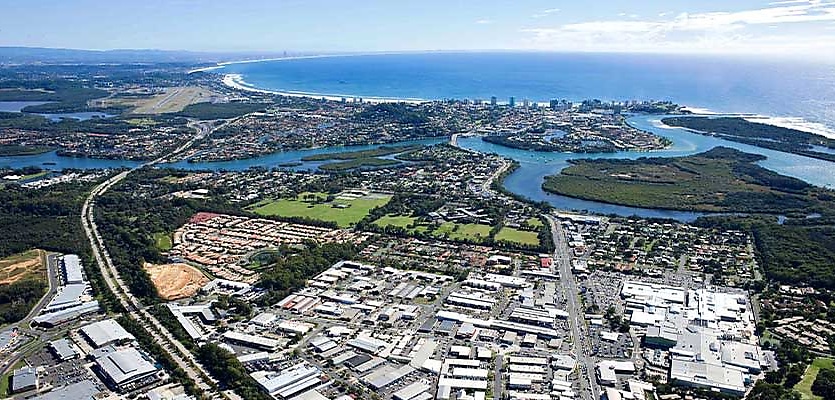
708,32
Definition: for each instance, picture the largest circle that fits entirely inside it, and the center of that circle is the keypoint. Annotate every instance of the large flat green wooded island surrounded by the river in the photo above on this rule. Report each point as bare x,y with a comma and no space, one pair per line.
719,180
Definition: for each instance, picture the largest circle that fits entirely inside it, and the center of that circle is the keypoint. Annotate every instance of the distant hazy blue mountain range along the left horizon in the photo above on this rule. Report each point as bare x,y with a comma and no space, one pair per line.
40,55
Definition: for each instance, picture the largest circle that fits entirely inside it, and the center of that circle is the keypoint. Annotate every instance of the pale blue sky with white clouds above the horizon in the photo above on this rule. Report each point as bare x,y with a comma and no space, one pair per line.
707,26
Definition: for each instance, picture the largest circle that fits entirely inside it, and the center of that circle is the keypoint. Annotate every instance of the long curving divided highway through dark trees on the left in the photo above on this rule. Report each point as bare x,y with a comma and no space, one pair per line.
181,356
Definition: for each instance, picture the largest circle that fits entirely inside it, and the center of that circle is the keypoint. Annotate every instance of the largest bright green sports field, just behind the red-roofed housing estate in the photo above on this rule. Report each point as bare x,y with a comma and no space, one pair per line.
356,208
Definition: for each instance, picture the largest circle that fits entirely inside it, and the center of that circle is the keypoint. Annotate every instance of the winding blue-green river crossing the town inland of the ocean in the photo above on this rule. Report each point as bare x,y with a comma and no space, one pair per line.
525,181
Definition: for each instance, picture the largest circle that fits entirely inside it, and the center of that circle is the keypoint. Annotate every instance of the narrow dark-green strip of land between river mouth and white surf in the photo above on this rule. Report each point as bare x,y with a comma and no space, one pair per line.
761,135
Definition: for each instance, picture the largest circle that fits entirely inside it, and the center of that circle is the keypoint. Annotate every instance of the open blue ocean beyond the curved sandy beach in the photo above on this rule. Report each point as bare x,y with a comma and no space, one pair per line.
795,89
